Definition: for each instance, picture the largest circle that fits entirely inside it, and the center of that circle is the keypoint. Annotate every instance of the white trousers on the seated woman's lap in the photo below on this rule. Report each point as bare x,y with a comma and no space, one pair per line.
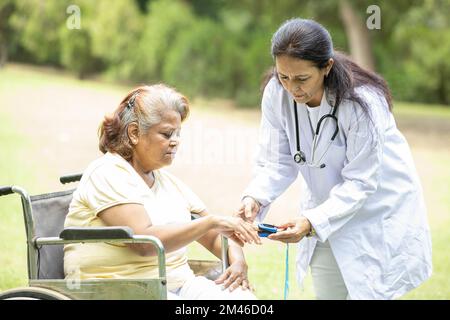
200,288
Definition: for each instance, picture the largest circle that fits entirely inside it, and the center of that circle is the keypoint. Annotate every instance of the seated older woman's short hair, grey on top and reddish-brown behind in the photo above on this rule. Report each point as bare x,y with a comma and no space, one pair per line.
144,106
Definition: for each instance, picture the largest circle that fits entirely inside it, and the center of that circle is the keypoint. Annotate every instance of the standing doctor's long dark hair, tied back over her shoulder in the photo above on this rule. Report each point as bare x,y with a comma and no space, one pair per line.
308,40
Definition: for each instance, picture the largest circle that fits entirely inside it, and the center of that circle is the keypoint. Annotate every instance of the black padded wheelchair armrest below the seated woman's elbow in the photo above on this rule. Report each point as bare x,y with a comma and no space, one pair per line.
75,233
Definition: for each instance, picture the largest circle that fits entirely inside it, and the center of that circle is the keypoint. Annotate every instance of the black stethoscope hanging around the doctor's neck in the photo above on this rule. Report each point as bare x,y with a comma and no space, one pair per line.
299,156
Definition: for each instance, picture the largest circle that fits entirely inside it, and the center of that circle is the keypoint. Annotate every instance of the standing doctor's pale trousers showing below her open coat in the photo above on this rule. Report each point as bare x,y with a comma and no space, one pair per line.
327,278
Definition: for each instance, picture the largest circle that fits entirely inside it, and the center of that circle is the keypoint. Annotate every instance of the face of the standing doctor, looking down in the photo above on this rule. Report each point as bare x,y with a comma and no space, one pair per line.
302,79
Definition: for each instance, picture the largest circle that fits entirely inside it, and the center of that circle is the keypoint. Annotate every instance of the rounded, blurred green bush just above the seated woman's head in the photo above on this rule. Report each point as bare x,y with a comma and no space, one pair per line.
202,60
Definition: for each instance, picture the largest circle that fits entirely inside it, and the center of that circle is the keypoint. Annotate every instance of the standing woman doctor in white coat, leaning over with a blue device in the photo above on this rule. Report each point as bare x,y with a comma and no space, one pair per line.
362,227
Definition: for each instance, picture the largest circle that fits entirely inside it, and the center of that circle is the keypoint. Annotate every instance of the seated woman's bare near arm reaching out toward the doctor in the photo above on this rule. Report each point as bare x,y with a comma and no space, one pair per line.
173,236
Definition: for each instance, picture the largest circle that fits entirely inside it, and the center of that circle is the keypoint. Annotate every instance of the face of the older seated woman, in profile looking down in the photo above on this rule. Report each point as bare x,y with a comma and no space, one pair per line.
157,147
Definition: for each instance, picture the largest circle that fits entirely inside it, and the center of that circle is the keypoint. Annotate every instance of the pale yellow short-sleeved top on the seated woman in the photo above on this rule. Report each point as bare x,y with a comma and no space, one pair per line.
109,181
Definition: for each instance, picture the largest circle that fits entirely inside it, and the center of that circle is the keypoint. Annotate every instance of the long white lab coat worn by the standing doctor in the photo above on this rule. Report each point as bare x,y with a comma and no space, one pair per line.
367,201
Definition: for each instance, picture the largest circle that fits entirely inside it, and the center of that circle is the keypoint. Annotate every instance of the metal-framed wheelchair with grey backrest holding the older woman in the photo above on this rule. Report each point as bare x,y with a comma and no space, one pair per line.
44,217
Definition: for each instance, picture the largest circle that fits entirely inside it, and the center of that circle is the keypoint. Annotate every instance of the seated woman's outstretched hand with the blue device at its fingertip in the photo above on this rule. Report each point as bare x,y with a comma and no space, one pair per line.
237,229
